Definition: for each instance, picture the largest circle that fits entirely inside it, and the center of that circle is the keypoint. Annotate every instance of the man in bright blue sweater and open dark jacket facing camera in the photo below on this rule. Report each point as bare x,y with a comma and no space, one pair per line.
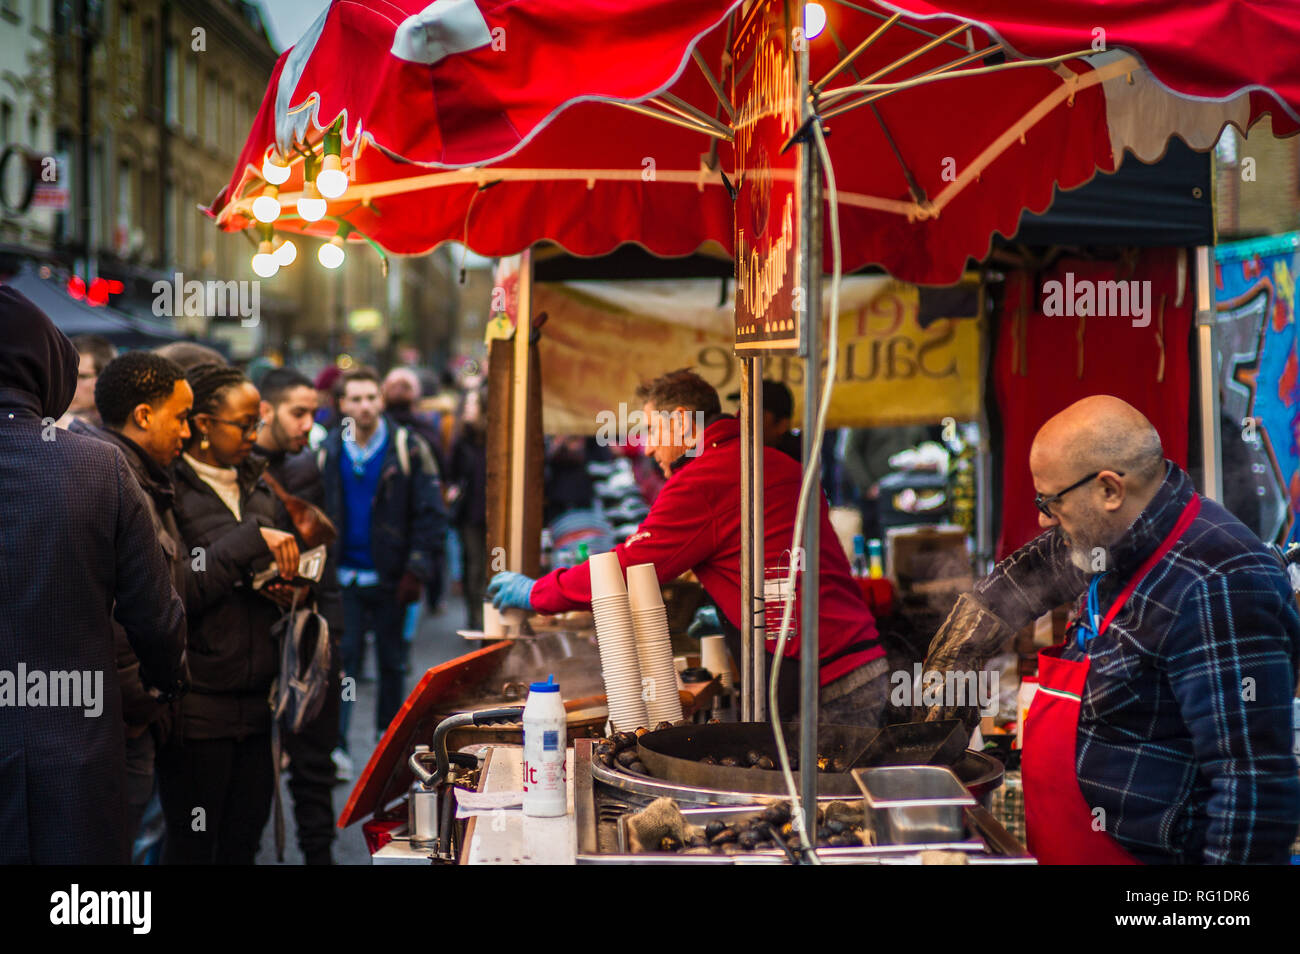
384,496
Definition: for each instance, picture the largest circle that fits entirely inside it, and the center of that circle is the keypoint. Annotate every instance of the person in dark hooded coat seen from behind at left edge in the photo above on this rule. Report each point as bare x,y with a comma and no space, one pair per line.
77,550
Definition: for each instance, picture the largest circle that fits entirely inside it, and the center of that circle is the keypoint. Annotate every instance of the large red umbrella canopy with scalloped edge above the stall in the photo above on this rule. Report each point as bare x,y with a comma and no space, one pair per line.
937,142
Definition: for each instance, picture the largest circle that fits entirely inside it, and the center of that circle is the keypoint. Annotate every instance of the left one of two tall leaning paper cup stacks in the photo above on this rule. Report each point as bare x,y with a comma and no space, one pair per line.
617,641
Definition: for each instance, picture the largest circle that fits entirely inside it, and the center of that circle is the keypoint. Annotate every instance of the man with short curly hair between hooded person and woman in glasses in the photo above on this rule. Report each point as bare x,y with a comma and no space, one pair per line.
144,402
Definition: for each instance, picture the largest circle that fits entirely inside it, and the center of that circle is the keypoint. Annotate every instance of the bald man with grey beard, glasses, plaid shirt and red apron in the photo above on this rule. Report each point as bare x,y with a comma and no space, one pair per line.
1162,730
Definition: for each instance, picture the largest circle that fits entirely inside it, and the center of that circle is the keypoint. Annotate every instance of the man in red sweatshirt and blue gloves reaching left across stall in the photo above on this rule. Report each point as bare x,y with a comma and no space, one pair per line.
695,524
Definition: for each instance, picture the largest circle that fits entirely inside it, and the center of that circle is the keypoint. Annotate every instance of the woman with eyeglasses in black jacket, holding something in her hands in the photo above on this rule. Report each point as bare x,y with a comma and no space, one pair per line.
216,779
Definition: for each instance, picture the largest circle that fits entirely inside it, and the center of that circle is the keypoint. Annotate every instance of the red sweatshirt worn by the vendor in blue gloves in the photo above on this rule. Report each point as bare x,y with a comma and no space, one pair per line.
695,524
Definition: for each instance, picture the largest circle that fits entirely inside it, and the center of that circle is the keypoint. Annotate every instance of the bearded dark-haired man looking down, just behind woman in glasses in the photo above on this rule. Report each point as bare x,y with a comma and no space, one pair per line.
288,411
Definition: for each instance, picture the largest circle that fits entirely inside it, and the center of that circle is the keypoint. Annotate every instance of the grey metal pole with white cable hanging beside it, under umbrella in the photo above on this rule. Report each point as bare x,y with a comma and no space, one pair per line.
811,280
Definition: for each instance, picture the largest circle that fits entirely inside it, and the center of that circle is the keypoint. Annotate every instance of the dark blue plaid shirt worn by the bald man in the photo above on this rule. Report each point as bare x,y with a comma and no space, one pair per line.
1185,730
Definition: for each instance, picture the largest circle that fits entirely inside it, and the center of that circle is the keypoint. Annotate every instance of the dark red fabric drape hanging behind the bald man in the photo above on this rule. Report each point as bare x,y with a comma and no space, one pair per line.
1038,368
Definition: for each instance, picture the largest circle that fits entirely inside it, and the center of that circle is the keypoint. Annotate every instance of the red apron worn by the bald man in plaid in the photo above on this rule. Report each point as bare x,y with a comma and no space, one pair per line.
1059,823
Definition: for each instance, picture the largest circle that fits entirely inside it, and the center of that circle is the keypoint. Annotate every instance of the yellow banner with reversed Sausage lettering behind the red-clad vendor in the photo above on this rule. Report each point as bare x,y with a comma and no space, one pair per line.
605,339
